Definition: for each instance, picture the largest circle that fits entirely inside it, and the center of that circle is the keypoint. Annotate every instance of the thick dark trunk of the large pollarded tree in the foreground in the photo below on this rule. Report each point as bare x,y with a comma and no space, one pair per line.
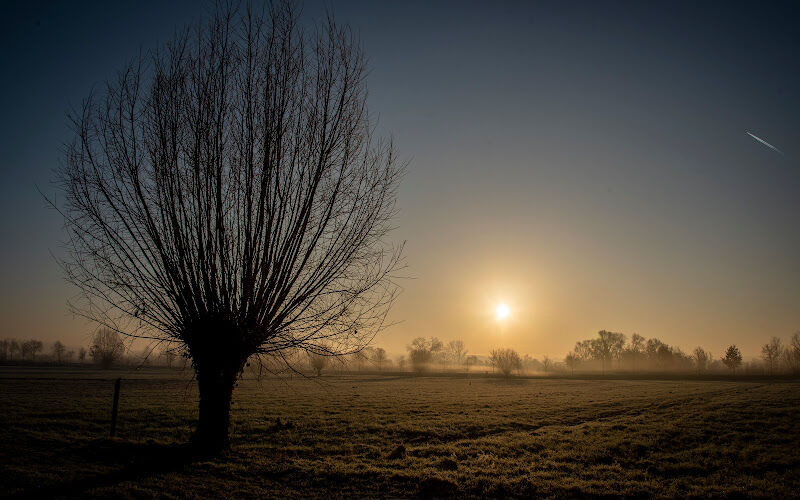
215,384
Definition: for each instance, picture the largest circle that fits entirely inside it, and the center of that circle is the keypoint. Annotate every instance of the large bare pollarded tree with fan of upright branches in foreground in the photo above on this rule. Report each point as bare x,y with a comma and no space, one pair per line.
226,193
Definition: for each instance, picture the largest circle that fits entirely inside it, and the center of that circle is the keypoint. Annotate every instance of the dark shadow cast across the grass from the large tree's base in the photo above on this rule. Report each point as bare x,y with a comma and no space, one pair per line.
129,460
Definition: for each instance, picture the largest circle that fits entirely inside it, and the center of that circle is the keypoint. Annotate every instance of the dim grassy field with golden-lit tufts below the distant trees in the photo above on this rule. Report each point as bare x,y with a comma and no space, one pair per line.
400,435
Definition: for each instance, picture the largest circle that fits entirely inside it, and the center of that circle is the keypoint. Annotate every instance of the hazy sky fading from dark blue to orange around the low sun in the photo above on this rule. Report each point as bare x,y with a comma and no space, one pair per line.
585,163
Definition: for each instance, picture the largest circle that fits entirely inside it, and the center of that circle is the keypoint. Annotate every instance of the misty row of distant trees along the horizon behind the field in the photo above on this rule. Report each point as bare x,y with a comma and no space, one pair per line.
608,351
